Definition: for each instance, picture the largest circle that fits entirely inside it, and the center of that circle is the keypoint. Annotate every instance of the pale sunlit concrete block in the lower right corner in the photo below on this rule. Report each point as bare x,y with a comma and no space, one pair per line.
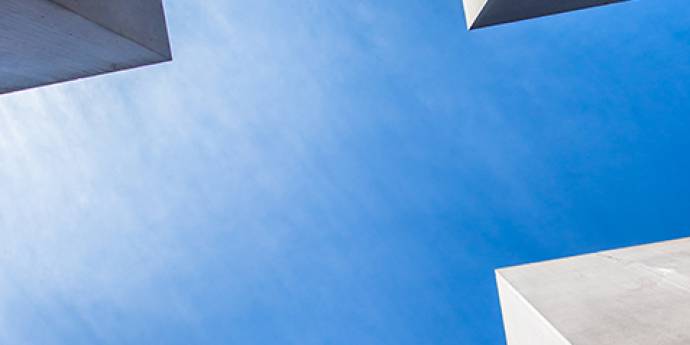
634,296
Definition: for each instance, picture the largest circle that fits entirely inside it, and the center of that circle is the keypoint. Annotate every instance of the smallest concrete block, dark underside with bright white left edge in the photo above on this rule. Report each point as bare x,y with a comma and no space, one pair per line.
481,13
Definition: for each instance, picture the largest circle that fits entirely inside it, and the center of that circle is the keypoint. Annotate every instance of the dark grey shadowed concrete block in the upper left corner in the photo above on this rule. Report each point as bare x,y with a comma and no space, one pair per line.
49,41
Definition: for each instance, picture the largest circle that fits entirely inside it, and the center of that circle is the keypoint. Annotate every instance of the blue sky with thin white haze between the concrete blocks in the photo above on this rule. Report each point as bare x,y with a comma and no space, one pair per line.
337,172
